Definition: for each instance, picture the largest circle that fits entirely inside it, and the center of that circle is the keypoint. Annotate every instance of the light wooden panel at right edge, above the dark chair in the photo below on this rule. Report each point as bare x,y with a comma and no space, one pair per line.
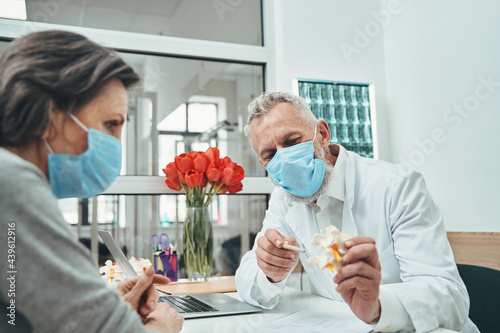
476,248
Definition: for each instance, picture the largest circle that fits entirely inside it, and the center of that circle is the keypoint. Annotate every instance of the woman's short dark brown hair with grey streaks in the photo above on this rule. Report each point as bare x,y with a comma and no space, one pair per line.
46,67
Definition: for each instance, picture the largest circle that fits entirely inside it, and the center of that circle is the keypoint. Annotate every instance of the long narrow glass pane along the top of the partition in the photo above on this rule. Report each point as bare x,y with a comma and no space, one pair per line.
198,19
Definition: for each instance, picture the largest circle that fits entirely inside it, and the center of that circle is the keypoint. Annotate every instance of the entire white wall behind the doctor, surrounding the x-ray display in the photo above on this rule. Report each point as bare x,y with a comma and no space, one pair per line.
424,58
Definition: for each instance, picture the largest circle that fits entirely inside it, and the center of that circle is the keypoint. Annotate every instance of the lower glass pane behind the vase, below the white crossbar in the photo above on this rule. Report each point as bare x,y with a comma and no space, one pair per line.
130,220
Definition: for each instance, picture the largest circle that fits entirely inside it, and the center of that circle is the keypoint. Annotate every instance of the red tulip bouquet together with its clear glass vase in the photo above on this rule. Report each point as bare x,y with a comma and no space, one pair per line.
201,175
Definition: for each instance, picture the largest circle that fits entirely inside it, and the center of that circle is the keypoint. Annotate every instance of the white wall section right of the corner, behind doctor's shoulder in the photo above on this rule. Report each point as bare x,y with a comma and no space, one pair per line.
436,52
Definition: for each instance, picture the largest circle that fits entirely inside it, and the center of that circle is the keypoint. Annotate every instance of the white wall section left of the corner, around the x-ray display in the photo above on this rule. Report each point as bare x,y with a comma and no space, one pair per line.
307,46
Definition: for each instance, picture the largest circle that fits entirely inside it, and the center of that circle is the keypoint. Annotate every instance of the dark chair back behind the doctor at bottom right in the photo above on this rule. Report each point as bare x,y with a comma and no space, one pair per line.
483,285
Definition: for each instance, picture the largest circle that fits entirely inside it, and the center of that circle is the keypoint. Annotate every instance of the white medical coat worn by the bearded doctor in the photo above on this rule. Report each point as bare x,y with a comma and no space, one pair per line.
391,204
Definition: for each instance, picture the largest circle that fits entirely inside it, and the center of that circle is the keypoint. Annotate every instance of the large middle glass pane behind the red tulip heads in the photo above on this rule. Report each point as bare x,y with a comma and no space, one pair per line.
188,104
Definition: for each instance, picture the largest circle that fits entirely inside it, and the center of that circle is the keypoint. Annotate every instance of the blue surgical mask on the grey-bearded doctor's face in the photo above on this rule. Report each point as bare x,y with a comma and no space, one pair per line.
296,170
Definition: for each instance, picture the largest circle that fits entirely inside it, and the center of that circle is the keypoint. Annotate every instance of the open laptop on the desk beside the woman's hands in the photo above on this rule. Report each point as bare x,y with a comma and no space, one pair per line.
198,306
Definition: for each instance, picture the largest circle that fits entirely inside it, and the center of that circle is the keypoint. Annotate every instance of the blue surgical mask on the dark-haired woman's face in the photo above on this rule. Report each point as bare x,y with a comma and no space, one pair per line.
89,174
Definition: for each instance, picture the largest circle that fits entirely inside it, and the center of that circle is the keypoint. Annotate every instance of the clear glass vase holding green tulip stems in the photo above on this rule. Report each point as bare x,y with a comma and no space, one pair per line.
198,243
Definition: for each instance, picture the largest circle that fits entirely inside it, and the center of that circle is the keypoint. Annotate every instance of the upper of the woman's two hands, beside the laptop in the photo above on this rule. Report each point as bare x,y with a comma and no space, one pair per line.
141,292
